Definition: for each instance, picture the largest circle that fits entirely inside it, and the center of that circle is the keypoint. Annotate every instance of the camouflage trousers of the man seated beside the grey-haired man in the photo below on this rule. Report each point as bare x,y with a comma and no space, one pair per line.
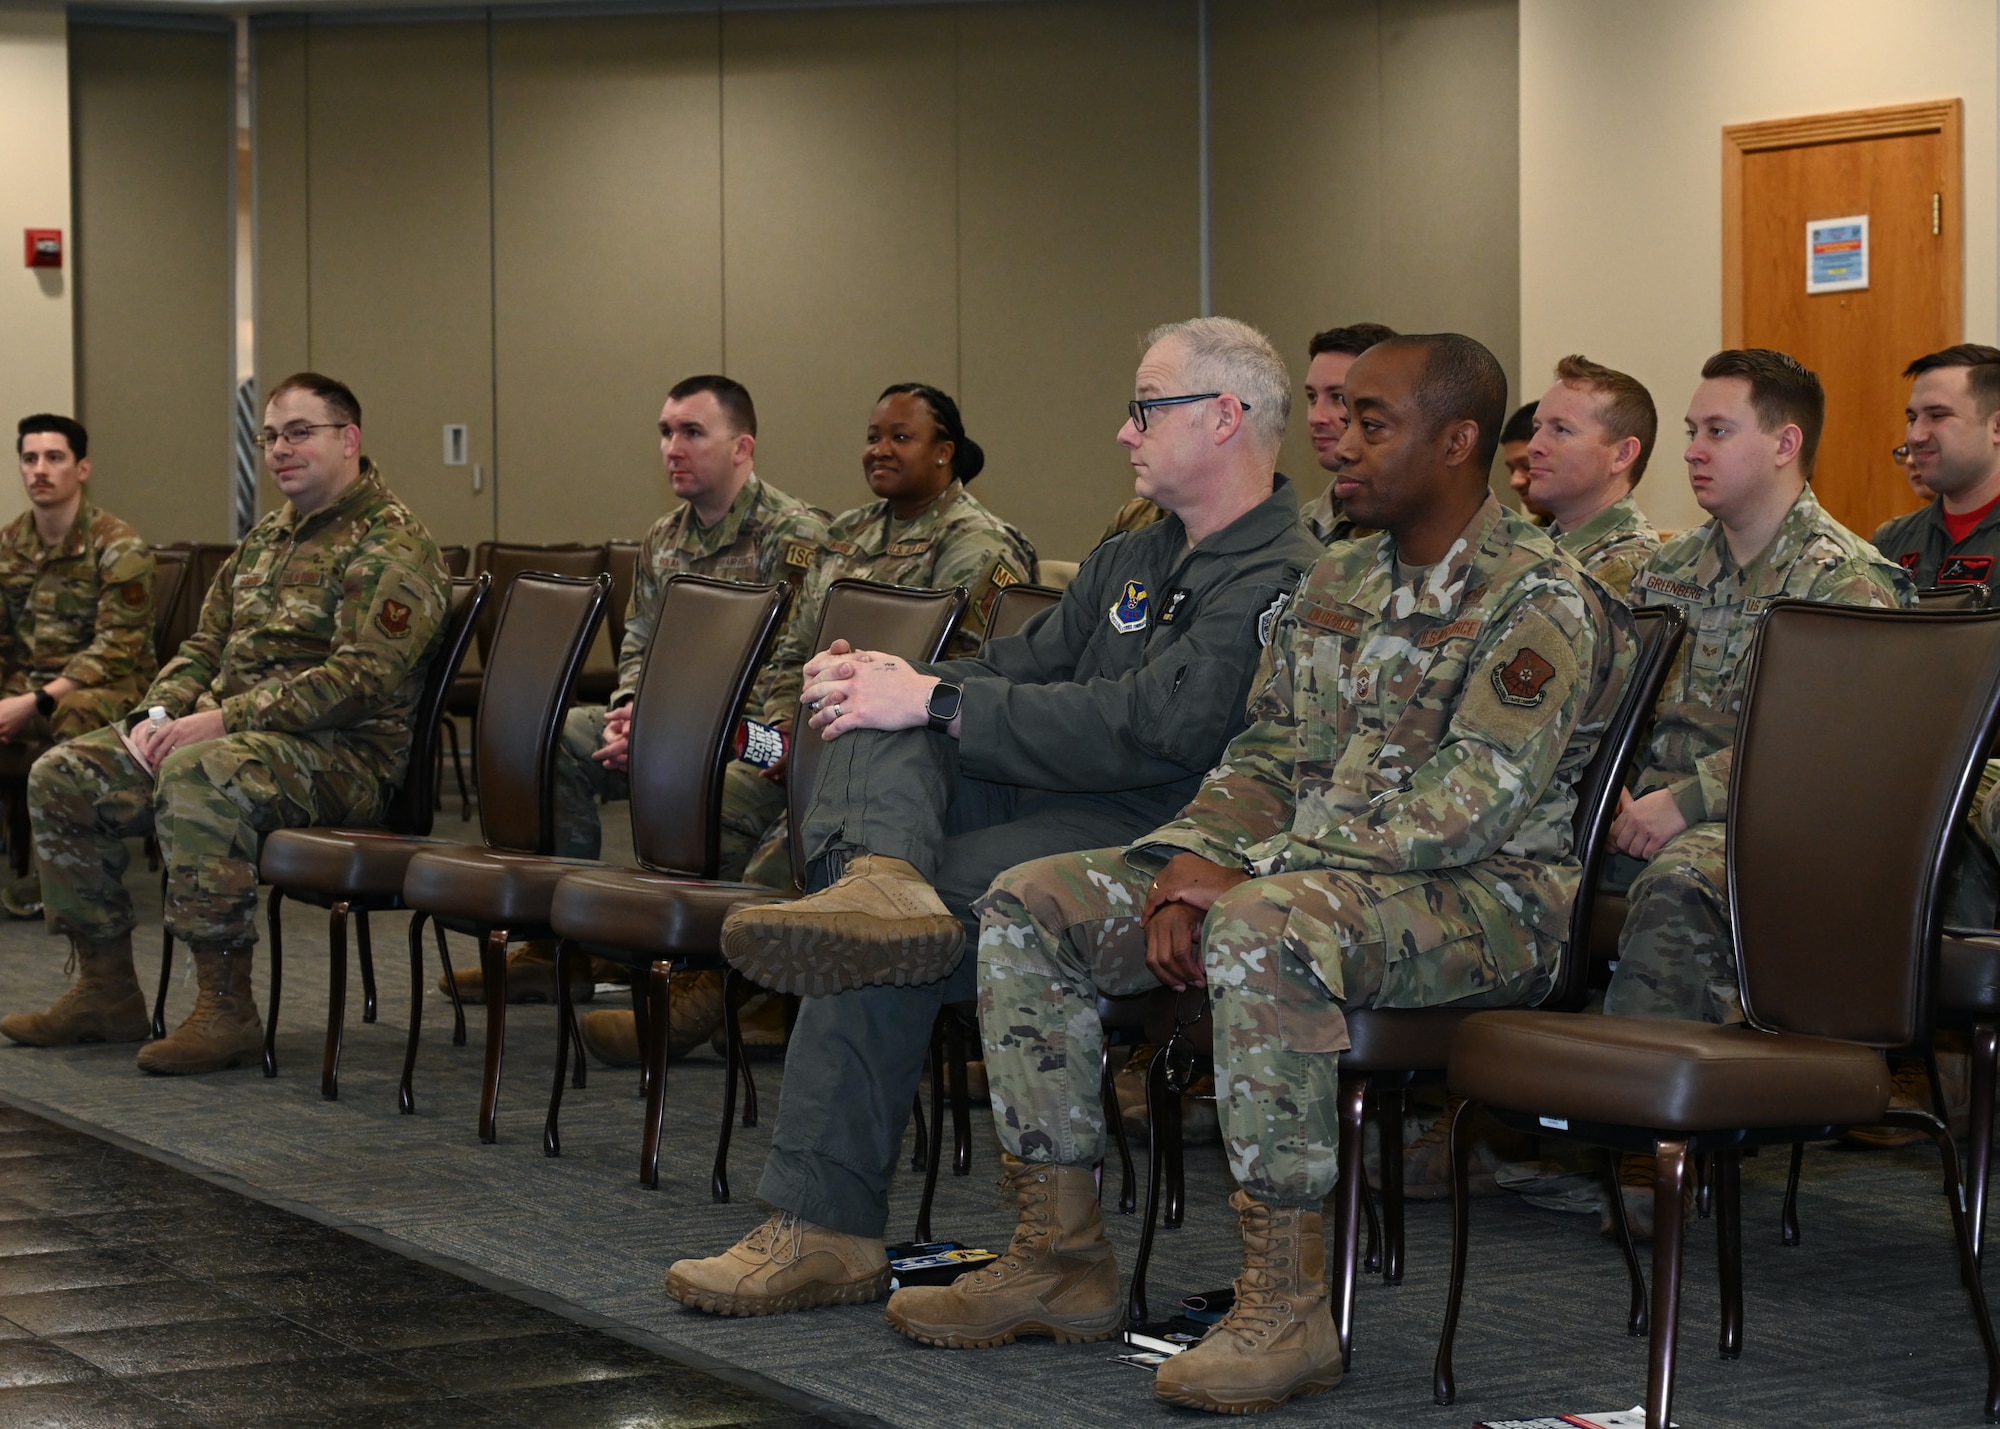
1285,960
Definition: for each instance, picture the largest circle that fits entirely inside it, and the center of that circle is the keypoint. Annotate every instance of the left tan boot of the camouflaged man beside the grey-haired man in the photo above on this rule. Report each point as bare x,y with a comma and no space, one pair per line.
1059,1278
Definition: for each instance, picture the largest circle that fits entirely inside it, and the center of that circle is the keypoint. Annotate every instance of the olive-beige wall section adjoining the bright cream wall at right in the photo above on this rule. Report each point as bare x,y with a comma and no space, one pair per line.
1365,171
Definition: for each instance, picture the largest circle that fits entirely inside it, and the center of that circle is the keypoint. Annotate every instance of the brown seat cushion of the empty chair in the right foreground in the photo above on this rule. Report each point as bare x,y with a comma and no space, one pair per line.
1665,1074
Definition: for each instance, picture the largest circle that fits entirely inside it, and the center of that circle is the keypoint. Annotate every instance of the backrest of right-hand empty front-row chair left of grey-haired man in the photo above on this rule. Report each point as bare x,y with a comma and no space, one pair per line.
705,653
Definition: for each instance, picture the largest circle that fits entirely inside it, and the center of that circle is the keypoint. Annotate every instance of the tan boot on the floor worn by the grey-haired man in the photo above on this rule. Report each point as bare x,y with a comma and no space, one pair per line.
783,1266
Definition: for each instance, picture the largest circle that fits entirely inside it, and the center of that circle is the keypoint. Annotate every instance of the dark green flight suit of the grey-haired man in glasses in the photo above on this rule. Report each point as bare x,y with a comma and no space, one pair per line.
1089,728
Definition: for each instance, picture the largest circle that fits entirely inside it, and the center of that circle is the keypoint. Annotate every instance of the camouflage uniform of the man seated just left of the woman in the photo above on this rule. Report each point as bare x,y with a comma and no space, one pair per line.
765,535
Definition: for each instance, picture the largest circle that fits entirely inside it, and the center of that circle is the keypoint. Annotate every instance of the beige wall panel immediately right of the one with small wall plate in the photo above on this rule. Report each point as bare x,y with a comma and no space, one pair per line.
607,261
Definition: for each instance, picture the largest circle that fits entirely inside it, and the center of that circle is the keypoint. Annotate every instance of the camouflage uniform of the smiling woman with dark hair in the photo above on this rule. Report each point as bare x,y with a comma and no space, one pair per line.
951,543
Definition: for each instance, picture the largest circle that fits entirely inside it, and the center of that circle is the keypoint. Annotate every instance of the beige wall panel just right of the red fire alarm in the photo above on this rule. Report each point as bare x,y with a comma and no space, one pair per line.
153,141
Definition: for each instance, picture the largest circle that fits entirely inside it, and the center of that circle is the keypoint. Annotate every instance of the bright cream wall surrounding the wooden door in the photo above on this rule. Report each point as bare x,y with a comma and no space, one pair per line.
1621,167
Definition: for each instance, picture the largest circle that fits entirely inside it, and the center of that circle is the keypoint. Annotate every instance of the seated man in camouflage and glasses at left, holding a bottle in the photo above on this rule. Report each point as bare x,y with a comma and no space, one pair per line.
289,705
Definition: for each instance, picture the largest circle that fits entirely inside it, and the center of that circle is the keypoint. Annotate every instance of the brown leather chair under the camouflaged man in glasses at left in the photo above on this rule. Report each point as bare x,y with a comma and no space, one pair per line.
359,872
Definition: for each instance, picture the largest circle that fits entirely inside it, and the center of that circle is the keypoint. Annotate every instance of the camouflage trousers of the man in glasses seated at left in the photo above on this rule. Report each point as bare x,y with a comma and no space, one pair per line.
211,810
